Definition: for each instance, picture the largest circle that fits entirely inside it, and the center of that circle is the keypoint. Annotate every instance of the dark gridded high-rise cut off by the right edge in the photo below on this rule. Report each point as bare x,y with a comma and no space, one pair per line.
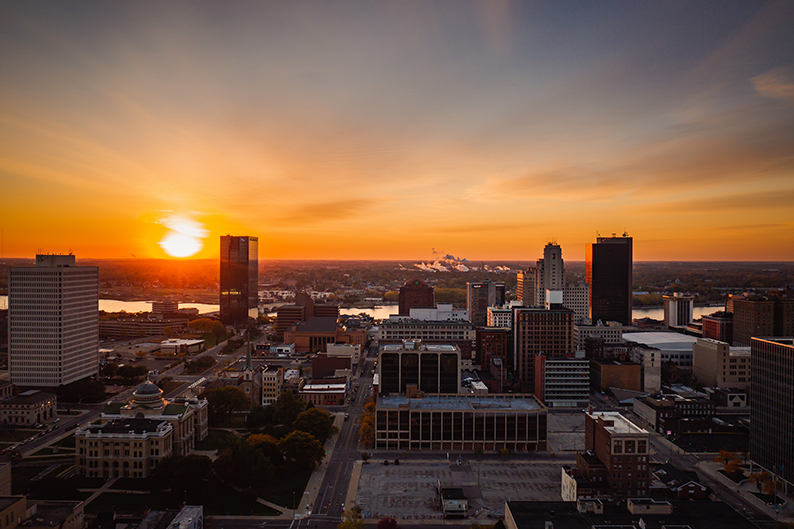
771,398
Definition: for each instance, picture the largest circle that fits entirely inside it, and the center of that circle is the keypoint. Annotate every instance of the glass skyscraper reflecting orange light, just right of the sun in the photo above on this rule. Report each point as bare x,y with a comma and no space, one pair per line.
239,279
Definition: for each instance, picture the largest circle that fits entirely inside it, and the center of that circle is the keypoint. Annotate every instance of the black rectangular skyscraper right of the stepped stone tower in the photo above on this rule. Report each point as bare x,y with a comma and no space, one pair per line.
609,273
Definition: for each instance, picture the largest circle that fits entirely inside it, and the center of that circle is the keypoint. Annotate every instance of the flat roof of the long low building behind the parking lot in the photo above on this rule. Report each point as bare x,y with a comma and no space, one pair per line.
462,403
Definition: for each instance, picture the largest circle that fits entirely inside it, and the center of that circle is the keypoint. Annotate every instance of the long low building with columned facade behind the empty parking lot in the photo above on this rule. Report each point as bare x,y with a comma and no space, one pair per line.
462,423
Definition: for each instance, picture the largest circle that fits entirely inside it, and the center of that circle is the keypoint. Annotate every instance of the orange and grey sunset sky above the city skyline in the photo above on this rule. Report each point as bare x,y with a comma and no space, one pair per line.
384,130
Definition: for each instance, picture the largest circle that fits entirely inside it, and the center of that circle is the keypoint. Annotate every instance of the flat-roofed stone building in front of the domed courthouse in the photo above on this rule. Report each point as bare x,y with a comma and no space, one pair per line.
130,447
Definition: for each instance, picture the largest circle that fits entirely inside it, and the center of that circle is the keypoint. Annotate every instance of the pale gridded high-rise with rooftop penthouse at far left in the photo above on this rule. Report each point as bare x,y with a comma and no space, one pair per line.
53,322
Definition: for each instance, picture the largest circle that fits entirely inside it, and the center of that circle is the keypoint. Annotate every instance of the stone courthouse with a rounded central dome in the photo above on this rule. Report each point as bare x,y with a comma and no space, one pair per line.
187,416
